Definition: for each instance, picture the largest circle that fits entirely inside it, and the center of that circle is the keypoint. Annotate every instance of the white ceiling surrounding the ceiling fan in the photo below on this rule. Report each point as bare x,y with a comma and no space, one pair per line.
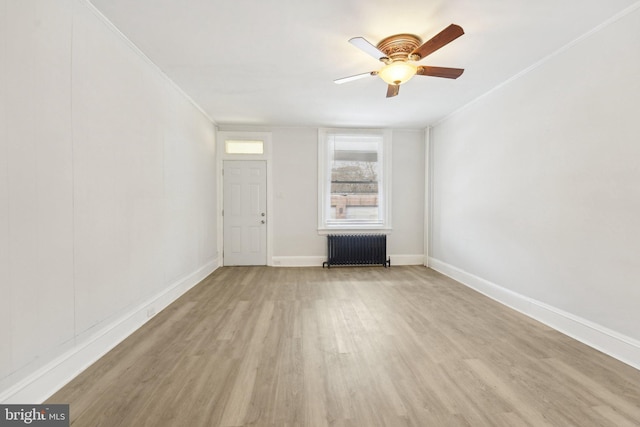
273,62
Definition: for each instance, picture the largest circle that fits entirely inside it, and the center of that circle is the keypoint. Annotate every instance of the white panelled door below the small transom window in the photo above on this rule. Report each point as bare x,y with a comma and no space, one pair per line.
245,212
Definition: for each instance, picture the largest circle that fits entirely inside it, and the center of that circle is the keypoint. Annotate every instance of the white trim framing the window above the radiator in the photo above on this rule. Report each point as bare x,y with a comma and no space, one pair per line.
323,183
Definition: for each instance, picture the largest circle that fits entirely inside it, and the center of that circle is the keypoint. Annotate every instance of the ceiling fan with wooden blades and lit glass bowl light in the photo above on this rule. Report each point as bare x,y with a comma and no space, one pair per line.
399,52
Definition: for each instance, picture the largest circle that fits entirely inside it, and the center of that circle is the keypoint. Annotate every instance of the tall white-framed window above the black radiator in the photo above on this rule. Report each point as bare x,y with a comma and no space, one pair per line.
354,179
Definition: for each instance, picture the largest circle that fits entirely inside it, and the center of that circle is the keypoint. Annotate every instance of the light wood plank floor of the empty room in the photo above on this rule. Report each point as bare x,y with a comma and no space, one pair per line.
403,346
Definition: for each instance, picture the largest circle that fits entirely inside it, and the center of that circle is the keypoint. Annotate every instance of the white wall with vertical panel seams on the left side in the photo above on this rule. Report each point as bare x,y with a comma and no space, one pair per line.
107,189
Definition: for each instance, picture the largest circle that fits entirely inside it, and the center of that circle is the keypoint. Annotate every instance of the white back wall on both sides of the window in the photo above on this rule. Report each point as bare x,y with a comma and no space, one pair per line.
295,177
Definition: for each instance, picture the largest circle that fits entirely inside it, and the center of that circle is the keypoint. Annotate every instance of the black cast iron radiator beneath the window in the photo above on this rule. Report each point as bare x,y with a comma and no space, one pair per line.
357,249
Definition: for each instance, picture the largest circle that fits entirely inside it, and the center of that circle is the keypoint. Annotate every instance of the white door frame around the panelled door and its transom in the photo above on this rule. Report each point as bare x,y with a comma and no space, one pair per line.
221,156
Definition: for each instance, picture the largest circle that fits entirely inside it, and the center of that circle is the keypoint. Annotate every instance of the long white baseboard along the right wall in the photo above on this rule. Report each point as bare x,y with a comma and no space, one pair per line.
619,346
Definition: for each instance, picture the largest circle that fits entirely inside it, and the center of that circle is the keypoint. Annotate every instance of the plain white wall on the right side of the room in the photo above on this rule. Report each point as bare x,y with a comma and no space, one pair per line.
536,190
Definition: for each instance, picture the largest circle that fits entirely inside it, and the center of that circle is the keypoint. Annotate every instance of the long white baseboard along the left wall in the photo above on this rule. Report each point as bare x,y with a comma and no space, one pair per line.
44,382
